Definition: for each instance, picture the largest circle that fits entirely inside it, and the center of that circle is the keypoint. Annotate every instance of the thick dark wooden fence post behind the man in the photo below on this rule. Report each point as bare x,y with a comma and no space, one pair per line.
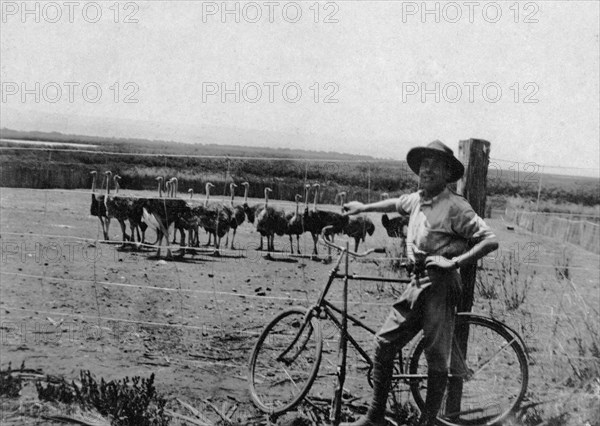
474,154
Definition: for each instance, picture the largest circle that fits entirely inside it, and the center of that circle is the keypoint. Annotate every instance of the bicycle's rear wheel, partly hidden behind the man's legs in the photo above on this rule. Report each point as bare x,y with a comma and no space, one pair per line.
487,384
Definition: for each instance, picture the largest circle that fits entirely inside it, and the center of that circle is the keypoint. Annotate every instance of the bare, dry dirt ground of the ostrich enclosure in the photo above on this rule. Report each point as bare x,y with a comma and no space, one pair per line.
70,304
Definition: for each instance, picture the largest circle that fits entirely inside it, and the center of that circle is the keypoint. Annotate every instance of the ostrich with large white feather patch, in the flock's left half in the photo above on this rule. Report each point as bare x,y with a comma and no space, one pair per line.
160,213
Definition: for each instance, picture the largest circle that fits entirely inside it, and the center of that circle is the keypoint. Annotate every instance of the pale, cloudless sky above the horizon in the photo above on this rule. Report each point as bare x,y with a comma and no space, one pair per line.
360,77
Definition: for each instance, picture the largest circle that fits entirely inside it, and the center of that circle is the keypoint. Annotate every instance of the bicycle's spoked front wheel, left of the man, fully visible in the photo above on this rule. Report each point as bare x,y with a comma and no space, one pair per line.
285,361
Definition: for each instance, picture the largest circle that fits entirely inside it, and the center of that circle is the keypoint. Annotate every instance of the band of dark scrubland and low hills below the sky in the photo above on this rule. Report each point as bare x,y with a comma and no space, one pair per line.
363,177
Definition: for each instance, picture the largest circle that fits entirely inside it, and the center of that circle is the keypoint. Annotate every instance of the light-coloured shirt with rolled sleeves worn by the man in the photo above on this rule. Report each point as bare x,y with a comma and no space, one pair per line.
443,225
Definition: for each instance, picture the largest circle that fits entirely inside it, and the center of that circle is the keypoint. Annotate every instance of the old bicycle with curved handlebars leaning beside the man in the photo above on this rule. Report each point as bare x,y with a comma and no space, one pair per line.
486,383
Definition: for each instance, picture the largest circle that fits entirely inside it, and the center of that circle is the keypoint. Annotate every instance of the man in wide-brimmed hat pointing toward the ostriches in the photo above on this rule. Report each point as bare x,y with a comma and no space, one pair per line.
441,226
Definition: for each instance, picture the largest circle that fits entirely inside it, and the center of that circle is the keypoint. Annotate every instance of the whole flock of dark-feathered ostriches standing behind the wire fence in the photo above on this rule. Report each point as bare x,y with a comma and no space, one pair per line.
218,218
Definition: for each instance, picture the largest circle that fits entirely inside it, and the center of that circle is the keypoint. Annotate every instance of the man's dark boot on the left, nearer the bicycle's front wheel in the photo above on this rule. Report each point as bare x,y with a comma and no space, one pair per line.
383,367
